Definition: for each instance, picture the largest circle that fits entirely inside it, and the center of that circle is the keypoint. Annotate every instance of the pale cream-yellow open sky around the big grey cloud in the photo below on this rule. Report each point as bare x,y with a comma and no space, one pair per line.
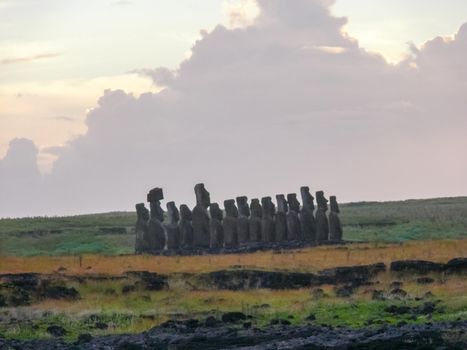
57,57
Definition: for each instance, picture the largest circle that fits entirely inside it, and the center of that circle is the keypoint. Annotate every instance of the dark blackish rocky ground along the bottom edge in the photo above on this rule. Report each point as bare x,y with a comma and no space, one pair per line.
217,334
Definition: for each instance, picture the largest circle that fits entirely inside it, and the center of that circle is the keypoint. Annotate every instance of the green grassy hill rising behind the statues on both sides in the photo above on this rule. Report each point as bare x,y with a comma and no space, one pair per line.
113,233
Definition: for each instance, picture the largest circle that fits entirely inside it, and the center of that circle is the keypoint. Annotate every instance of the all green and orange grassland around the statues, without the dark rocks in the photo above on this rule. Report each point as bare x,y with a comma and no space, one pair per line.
102,245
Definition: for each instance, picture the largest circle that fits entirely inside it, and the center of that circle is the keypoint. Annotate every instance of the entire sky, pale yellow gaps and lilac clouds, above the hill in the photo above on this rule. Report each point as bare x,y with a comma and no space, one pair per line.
102,100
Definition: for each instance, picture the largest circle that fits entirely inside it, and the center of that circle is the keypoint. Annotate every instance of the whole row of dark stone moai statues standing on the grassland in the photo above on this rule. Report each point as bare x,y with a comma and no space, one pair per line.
243,224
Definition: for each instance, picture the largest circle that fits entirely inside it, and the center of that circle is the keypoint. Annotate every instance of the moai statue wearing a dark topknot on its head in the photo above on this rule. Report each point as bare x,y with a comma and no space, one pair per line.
156,232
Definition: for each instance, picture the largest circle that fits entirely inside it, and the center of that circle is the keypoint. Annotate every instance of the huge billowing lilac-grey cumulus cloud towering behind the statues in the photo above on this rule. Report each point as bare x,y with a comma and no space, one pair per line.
264,108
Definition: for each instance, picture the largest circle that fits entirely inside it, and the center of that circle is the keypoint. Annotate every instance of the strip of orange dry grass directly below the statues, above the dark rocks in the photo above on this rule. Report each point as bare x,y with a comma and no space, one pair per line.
310,259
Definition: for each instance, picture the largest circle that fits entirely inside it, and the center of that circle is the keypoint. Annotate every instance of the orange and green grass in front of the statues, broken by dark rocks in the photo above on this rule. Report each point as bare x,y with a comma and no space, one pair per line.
105,302
